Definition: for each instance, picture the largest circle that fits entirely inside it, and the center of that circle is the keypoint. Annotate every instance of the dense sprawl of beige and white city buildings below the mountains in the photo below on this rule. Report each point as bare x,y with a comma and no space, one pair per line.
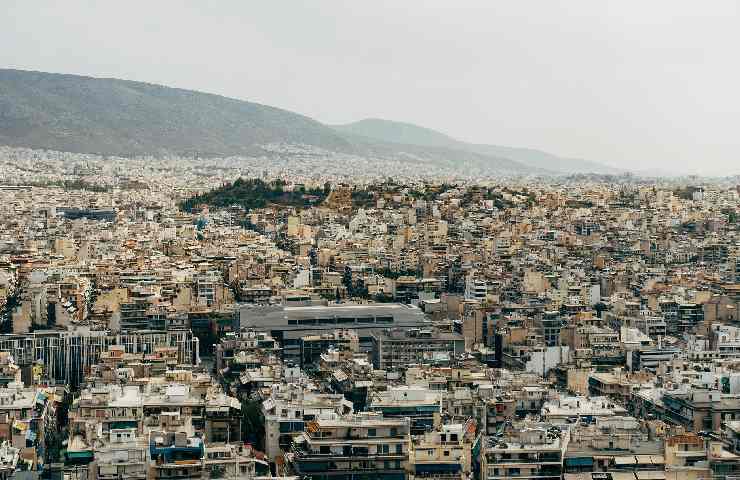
400,327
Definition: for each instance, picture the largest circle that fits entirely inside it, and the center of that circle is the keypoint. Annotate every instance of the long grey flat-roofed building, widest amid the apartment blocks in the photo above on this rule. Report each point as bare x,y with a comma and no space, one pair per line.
288,324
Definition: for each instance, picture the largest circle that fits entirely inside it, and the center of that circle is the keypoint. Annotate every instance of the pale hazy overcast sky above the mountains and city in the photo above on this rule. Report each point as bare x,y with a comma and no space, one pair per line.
640,84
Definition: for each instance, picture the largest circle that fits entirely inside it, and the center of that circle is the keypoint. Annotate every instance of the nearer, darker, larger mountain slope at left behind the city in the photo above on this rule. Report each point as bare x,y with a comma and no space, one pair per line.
95,115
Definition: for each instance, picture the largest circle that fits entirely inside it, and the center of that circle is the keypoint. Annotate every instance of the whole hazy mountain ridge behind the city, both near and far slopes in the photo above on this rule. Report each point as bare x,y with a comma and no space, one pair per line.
119,117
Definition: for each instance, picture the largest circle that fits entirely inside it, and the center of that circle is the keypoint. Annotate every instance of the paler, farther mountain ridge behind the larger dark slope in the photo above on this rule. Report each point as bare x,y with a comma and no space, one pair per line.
407,133
